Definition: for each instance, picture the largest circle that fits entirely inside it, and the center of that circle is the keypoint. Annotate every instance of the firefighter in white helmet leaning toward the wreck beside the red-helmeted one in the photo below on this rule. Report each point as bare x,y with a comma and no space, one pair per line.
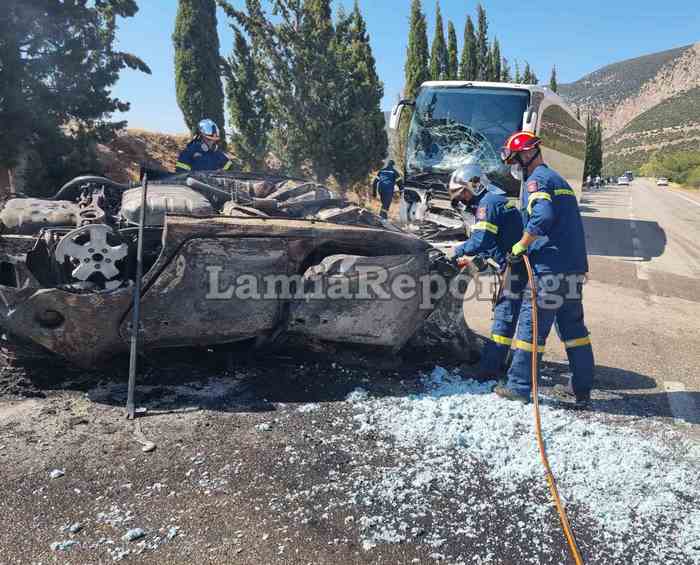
498,226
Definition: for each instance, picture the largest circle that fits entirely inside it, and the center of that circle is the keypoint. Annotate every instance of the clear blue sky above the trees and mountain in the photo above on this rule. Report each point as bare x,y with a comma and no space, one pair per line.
578,37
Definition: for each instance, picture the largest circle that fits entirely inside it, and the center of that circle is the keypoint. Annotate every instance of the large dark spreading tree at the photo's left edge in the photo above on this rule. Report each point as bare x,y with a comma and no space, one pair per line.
58,64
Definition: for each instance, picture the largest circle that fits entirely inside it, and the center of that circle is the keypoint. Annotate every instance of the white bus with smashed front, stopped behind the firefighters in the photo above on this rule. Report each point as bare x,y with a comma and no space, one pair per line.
453,121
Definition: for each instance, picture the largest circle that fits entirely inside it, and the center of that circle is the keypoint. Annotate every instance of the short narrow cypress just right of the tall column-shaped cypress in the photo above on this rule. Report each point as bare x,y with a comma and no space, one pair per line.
248,114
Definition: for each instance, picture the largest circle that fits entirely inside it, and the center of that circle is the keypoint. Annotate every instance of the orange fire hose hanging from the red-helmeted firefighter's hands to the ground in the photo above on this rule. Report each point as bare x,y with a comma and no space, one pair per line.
563,518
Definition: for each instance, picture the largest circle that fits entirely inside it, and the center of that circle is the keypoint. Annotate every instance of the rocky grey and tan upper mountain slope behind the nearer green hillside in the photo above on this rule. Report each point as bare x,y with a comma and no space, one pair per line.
620,92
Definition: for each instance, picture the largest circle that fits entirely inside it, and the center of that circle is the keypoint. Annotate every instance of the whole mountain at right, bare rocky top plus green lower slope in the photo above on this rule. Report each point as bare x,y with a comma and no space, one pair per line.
646,104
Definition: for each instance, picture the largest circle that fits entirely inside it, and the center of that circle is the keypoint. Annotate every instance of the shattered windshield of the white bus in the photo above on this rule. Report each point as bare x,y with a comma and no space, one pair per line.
451,124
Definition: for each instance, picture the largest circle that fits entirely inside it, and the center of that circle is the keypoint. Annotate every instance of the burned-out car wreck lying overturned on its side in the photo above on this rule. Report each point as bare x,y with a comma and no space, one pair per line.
67,269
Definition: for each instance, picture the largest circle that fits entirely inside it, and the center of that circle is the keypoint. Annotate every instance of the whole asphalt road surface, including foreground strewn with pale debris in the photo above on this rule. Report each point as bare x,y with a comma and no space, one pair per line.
291,460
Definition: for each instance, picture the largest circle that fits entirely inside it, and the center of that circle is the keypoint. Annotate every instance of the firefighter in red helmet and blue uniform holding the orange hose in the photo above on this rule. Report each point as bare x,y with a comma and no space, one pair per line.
554,240
